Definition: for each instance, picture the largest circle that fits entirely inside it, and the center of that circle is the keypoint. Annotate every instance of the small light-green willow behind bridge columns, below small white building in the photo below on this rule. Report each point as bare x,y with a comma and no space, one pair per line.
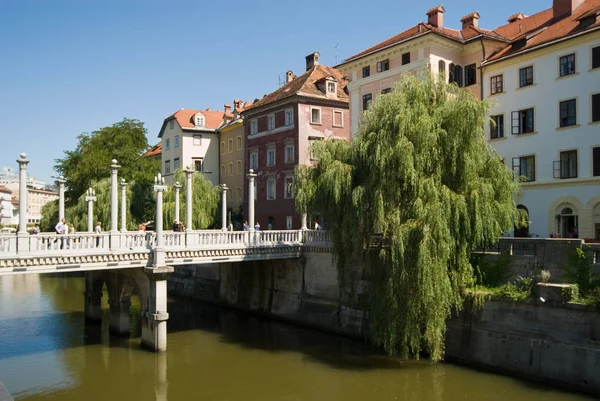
205,205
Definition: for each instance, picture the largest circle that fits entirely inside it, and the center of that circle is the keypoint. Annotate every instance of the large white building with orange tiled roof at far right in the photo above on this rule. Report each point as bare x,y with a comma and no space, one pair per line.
546,92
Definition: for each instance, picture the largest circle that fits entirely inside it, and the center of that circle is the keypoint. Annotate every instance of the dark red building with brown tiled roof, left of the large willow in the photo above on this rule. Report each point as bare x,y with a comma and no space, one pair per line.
279,130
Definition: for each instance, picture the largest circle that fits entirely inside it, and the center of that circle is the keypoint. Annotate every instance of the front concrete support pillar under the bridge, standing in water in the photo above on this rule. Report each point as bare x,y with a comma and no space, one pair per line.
154,319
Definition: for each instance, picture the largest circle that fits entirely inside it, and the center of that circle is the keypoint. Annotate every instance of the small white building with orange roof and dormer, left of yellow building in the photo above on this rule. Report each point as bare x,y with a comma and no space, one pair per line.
189,138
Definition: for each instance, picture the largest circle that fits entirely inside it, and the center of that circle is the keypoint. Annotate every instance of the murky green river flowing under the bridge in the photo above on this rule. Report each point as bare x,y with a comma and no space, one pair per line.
48,352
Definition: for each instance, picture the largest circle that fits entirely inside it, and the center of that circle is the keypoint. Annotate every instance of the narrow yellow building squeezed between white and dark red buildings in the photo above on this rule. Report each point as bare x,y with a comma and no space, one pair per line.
232,160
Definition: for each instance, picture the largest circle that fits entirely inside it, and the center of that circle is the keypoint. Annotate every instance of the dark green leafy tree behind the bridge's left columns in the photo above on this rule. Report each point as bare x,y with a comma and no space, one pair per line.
90,162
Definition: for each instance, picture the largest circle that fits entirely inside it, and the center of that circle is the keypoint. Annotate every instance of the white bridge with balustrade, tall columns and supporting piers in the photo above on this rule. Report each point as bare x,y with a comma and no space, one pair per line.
139,262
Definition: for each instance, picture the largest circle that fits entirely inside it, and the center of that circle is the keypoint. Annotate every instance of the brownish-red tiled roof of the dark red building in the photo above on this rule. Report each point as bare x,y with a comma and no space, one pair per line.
307,85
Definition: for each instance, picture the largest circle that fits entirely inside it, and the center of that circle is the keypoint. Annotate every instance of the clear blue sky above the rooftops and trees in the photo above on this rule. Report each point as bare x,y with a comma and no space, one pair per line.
68,67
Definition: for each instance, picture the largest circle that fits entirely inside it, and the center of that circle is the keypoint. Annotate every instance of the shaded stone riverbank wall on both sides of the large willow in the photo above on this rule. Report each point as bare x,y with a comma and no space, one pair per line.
558,344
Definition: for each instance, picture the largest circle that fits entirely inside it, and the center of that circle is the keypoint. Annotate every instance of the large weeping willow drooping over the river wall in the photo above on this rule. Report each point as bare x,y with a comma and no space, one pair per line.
421,175
